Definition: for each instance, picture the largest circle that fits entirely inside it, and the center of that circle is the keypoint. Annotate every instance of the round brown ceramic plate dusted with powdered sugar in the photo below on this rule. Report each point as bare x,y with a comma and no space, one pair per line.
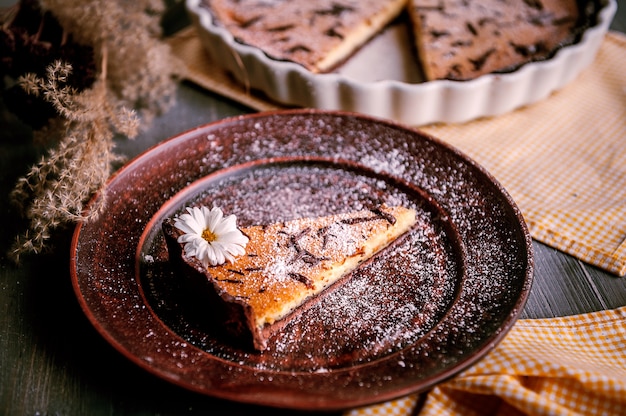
420,312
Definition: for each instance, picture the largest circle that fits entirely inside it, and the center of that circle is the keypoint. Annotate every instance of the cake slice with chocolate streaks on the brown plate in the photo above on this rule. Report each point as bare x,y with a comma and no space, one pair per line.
287,264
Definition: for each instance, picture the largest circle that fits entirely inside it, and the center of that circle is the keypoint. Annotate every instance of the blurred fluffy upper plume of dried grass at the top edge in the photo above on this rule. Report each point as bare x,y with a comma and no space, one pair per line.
139,66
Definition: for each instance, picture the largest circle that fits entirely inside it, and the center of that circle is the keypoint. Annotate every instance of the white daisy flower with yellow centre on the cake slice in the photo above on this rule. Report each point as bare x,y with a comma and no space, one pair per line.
209,236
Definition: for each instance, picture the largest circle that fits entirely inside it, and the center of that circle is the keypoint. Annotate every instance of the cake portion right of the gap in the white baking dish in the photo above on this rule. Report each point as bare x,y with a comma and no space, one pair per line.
461,40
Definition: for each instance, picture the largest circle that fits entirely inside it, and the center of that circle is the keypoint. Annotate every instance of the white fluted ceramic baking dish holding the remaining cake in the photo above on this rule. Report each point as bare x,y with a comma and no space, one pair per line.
391,88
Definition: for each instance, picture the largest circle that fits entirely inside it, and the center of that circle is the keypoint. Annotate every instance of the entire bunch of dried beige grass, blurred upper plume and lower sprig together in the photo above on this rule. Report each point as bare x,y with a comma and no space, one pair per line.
136,71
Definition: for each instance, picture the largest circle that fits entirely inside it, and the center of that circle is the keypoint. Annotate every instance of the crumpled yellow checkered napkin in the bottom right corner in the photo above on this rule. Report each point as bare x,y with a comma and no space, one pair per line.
560,366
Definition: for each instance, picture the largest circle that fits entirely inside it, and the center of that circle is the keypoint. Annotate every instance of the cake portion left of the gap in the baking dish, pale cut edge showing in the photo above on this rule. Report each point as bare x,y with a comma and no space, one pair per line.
316,34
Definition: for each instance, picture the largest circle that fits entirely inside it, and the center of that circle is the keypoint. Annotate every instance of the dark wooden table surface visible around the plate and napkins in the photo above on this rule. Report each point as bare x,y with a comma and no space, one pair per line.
53,362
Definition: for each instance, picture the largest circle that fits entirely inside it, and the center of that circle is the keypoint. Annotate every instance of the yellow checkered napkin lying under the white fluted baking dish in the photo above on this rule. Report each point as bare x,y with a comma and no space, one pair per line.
563,160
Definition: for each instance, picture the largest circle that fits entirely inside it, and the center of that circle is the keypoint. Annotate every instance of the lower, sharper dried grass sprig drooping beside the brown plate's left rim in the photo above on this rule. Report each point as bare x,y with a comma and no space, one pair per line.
54,191
